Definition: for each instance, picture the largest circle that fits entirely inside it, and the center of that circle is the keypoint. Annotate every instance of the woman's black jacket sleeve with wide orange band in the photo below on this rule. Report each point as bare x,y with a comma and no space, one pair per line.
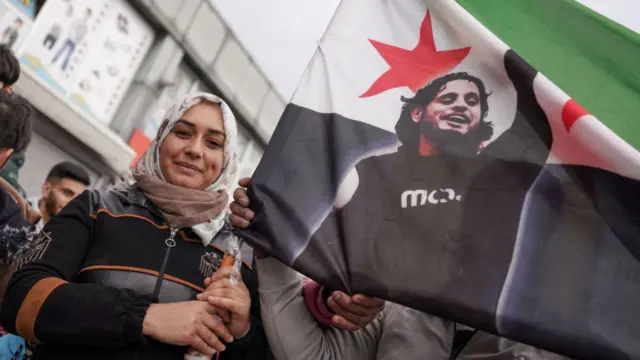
44,305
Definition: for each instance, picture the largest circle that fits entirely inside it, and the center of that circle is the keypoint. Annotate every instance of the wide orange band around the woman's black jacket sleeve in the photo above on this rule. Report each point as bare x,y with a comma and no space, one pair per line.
31,305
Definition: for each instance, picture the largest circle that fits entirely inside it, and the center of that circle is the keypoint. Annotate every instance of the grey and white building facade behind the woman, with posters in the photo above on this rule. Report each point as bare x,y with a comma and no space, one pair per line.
102,73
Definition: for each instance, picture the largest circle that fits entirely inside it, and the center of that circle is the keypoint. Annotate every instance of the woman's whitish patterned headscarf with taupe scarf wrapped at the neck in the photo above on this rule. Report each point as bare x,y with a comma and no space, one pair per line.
205,211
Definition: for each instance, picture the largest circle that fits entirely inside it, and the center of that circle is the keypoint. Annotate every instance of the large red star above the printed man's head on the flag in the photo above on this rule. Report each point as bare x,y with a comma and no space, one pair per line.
414,68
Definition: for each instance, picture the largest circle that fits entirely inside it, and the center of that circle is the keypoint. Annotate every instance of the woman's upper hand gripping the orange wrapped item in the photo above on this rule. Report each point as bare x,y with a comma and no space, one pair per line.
233,298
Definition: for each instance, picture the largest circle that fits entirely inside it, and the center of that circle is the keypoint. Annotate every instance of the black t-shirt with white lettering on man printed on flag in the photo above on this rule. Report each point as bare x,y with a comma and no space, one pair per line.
441,227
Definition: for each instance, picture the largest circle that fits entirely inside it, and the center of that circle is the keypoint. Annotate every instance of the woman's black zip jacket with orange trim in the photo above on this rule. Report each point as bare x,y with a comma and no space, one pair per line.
93,274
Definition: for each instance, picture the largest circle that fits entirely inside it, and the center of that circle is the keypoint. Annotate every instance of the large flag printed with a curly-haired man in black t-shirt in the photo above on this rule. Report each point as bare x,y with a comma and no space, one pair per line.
422,160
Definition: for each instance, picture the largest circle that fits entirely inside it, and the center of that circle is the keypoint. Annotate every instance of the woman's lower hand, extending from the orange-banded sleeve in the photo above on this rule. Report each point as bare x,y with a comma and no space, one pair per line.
186,323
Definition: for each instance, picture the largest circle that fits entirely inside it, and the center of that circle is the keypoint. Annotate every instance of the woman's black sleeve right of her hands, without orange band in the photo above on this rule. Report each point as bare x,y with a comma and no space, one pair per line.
254,346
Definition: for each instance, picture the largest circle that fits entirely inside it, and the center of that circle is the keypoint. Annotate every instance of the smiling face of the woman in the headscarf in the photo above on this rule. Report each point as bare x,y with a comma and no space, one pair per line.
192,155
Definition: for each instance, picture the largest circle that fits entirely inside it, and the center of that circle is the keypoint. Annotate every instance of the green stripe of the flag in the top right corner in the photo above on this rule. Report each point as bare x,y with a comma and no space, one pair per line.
593,59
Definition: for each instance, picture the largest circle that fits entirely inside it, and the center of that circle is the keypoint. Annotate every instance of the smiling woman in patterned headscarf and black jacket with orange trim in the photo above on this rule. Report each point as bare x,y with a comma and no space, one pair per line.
116,274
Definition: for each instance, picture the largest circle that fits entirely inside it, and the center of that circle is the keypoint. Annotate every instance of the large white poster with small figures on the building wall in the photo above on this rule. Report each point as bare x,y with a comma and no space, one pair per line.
87,52
